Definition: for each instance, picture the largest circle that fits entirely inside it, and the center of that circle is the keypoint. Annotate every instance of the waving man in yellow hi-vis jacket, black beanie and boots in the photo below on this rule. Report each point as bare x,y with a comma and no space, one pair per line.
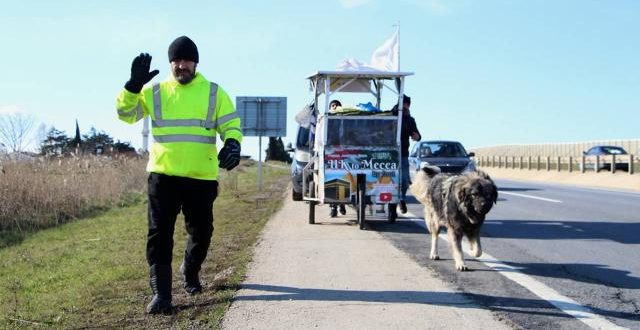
187,112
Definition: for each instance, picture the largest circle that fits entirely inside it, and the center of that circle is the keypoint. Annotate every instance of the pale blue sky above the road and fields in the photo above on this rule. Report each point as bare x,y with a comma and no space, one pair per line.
486,73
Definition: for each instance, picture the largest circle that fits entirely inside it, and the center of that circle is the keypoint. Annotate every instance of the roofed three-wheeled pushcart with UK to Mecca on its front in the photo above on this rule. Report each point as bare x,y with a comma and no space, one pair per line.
355,152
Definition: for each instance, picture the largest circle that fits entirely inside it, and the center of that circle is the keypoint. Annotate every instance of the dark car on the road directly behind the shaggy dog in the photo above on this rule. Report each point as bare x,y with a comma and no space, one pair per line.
449,156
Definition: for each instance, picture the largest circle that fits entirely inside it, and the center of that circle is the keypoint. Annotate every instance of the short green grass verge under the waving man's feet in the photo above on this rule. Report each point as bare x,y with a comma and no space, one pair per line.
92,272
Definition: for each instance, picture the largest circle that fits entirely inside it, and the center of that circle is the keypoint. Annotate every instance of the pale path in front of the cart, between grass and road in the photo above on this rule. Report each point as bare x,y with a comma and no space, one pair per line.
335,276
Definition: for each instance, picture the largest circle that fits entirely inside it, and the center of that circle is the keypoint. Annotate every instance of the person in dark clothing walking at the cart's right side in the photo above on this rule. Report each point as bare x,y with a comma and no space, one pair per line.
409,130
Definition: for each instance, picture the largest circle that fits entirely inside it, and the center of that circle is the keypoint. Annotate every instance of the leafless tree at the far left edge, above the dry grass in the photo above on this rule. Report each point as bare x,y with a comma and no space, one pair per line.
14,130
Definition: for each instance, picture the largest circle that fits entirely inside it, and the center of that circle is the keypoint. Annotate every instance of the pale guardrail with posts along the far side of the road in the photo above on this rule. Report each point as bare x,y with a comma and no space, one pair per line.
613,163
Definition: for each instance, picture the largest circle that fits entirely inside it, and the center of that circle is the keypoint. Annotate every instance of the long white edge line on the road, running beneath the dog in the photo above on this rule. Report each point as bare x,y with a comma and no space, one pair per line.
565,304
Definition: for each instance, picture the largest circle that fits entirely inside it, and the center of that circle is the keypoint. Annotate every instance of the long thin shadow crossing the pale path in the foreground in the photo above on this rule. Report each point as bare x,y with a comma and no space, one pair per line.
494,303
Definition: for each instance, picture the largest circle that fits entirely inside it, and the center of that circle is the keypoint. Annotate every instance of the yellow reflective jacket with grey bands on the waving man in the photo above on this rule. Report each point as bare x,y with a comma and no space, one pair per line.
184,125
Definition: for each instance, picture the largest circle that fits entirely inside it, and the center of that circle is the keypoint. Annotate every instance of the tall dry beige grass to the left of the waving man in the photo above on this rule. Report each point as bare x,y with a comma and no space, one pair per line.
42,193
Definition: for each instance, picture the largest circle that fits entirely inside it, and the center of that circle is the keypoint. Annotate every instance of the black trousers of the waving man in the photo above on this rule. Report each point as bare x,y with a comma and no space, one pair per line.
168,195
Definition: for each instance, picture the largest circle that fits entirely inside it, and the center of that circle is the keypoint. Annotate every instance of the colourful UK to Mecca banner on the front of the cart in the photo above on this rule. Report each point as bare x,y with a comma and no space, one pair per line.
381,167
